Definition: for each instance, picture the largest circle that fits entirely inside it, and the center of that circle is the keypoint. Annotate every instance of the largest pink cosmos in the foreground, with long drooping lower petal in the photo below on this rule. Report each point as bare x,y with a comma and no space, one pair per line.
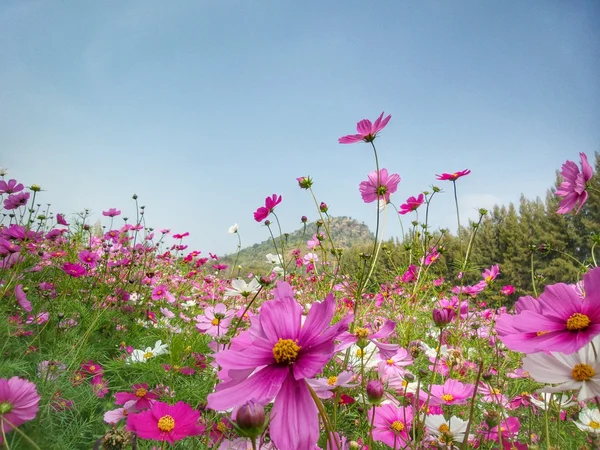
272,360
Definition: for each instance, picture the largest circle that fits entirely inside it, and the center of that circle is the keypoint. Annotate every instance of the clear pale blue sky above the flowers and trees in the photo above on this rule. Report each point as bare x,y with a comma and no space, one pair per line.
204,108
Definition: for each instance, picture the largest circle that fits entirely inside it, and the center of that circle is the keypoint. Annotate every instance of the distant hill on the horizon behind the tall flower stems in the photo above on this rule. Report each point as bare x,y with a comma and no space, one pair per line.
346,233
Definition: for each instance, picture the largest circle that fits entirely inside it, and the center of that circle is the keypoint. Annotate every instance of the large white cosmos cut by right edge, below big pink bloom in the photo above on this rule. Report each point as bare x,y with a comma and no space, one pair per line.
577,371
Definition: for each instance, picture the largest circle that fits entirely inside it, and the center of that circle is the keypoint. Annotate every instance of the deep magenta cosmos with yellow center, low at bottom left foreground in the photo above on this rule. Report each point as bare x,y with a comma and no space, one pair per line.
164,422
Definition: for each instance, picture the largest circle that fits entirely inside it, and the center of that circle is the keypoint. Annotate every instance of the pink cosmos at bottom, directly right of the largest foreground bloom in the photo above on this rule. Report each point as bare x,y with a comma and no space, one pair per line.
392,424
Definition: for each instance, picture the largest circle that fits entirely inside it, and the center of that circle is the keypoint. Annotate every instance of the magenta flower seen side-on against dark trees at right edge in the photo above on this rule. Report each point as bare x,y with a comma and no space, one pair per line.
573,189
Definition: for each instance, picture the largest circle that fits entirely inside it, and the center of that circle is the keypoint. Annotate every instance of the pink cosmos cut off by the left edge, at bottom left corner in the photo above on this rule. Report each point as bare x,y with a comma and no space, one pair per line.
19,403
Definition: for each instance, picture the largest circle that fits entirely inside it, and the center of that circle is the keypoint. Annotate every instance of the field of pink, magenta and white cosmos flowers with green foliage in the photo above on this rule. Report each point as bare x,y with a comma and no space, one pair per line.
124,338
